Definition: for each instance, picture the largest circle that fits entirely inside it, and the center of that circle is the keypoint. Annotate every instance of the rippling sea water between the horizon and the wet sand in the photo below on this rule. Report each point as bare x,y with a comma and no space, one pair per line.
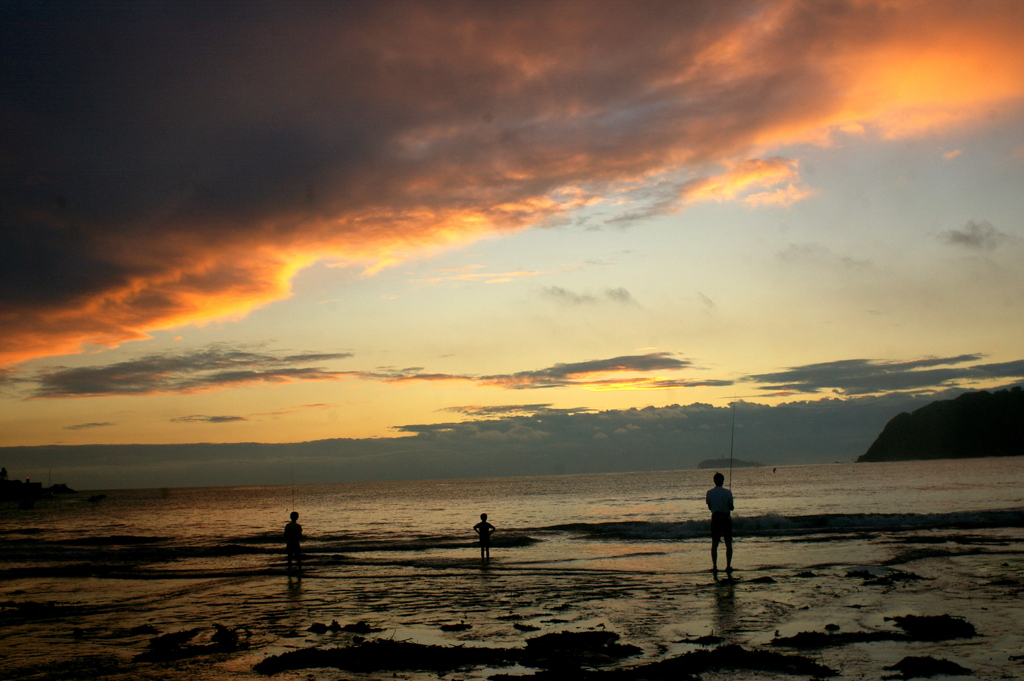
537,518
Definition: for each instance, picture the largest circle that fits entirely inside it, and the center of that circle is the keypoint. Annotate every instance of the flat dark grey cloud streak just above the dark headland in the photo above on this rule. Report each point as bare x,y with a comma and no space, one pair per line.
859,377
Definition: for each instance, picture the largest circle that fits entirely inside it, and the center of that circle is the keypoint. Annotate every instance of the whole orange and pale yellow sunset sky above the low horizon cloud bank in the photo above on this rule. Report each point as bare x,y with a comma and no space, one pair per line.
284,223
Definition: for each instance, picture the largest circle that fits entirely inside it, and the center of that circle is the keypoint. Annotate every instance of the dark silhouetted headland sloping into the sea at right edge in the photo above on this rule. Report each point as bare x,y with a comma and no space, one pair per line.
976,424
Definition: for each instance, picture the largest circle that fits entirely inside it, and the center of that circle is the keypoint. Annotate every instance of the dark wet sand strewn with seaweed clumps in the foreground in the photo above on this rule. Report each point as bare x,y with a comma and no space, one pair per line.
107,621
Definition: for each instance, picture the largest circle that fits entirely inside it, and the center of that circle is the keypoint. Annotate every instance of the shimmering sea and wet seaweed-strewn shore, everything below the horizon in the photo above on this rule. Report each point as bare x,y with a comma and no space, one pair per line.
844,554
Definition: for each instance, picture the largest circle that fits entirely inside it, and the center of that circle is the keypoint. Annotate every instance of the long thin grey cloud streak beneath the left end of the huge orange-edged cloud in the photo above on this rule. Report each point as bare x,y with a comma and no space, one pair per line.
212,368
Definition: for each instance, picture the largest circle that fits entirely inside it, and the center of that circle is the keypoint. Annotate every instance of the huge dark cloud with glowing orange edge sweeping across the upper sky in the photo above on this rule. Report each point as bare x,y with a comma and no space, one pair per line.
169,163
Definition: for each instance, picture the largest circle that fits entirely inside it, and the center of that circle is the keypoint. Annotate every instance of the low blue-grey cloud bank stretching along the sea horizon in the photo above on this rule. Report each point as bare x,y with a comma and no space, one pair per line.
529,442
